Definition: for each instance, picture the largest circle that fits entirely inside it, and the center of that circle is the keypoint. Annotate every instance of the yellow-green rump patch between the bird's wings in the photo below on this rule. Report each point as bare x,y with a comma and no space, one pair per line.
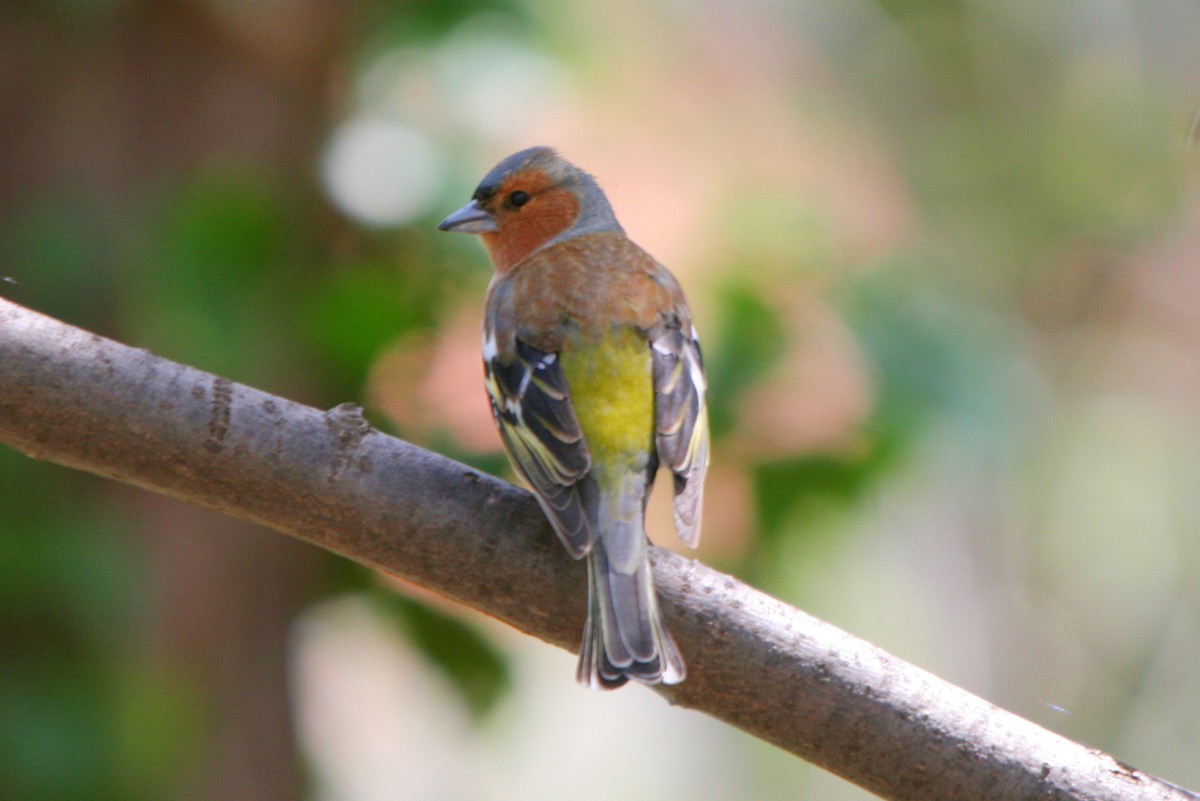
613,393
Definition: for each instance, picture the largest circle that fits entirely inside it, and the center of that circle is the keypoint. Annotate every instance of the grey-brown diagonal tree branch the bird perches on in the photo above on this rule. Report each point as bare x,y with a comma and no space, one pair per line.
79,400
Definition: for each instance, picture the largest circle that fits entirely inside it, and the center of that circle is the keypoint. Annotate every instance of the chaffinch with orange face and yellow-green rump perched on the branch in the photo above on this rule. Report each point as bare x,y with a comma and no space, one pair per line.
596,380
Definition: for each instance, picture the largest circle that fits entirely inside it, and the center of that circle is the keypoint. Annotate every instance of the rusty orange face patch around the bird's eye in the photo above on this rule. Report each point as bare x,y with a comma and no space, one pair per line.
530,210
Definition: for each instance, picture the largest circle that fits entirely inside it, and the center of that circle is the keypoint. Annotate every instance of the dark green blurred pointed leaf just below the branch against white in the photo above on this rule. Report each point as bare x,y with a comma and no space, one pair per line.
478,671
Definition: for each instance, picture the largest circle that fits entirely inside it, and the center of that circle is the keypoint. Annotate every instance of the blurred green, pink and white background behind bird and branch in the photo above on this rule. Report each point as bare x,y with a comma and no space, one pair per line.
944,258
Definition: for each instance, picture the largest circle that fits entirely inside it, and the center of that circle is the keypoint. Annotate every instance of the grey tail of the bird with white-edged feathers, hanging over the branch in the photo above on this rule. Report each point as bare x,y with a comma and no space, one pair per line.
625,637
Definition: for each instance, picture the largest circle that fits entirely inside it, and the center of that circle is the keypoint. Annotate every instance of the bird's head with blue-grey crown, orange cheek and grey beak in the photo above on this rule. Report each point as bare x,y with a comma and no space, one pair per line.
532,200
